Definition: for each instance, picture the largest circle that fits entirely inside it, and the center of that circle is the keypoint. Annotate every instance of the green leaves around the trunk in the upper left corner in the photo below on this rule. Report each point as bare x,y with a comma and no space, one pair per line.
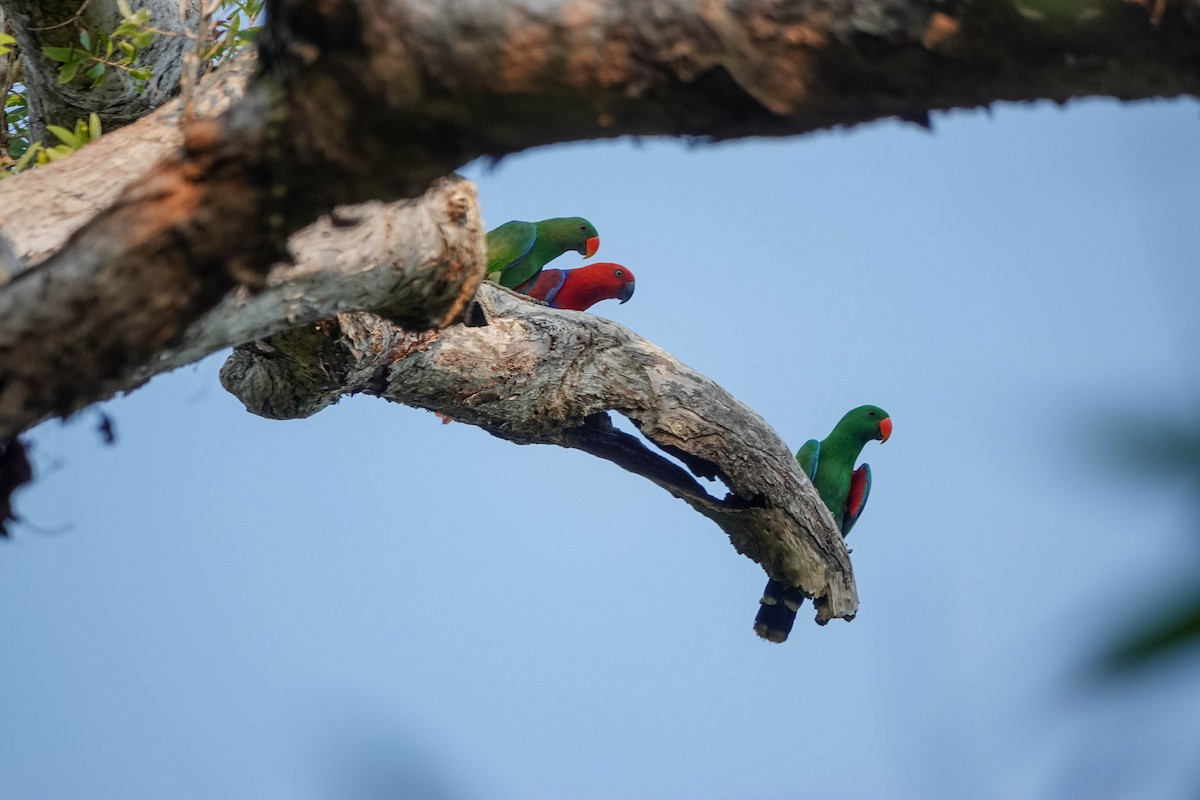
93,59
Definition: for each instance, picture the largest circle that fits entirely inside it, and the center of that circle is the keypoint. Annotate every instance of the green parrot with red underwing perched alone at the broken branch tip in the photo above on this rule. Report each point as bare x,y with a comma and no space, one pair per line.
830,464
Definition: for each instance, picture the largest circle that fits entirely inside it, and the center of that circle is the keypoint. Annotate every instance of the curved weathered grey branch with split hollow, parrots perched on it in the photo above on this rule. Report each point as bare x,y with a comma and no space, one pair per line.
539,376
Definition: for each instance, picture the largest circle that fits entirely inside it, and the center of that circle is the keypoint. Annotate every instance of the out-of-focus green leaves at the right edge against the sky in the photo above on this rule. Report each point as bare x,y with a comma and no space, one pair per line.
1165,453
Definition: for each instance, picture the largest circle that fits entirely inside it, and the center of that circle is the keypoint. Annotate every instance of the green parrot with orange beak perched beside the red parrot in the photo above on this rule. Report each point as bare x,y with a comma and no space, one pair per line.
517,251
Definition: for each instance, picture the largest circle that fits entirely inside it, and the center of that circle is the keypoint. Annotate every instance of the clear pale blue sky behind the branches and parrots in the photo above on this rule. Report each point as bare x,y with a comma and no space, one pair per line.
371,605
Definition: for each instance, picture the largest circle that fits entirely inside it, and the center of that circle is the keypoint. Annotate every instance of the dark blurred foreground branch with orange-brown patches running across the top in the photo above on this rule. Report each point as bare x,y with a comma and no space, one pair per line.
376,99
